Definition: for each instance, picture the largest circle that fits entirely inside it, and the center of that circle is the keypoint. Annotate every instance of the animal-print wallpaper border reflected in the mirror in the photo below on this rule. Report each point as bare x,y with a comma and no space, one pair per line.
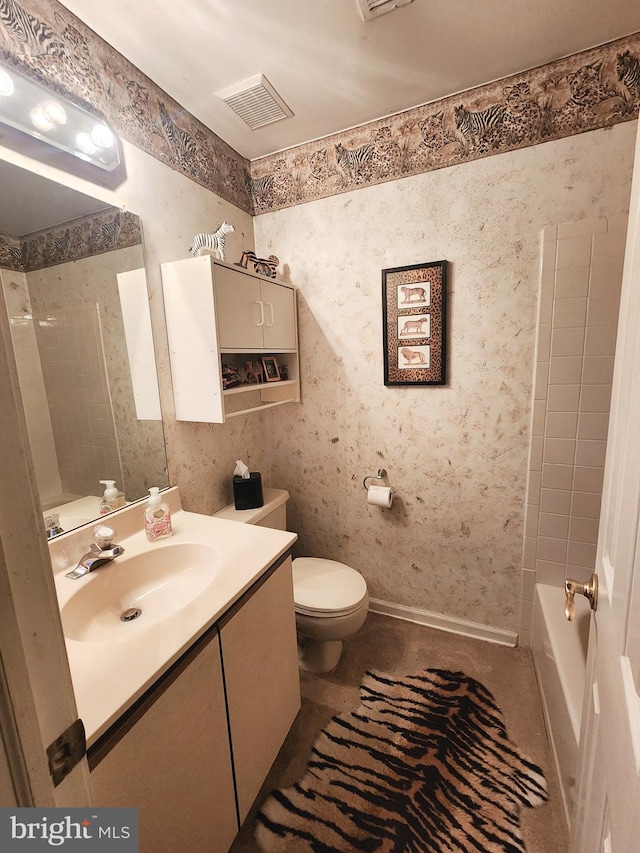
105,231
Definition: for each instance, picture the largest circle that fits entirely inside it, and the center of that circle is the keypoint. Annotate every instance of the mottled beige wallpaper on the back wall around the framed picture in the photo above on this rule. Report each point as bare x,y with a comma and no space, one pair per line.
452,542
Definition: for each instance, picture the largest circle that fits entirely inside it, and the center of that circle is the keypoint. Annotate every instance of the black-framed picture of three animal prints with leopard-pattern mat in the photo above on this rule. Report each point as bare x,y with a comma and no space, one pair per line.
414,300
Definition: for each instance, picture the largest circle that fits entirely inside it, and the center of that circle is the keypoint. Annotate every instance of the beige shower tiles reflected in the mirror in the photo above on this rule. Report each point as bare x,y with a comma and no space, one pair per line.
65,391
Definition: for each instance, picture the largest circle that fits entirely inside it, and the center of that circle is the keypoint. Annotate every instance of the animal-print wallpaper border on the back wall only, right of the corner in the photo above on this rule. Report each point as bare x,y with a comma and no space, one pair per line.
587,91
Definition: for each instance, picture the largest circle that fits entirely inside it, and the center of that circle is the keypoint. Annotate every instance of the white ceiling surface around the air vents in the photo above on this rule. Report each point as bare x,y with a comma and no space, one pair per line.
332,69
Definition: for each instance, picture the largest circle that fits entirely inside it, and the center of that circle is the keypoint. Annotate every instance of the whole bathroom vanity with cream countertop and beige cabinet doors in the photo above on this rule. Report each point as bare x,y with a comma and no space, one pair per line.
185,715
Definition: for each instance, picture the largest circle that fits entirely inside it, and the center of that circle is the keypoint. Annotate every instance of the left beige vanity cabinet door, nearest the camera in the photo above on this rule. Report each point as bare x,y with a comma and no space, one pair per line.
172,761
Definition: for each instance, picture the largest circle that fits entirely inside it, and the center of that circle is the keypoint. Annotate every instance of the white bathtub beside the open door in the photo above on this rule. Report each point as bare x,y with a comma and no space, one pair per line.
559,650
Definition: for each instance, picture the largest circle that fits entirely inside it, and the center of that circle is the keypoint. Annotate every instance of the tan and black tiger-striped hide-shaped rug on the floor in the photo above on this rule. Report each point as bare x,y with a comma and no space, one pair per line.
424,764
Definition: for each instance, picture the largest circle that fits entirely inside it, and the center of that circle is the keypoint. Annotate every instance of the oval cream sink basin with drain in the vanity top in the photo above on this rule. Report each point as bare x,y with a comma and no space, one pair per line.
158,582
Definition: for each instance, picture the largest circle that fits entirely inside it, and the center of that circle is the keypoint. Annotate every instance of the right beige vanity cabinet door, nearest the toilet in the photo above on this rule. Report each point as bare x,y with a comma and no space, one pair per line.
260,657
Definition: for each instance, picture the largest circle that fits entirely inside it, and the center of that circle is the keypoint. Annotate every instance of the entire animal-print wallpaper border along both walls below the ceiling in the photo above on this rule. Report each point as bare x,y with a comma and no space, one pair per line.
590,90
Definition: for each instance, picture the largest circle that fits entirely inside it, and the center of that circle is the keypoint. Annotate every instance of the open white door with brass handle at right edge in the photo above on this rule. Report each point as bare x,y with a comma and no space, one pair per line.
607,815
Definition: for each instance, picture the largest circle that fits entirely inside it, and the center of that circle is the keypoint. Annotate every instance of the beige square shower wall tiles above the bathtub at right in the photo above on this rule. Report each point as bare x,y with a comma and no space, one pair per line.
581,277
